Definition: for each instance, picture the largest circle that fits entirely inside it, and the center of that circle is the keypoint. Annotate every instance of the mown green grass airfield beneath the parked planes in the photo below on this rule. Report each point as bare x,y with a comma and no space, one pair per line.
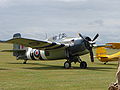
50,75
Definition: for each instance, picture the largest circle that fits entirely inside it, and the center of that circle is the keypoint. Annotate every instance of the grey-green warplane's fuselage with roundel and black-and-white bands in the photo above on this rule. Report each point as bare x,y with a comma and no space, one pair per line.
76,47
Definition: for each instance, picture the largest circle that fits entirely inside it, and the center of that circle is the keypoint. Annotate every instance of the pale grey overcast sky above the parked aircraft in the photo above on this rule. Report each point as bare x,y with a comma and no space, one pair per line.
36,18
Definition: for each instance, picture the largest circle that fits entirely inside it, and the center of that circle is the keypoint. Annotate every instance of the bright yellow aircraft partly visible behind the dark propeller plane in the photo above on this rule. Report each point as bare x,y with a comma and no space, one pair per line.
101,53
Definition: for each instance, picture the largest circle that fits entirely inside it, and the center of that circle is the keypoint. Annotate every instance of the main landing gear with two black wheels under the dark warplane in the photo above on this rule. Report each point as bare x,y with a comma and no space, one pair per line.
67,64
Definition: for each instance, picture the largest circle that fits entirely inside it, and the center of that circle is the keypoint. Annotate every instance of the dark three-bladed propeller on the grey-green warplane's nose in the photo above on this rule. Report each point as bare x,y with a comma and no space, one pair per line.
90,43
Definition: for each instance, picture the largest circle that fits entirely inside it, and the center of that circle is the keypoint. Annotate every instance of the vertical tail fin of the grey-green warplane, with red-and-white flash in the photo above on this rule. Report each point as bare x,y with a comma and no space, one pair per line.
17,46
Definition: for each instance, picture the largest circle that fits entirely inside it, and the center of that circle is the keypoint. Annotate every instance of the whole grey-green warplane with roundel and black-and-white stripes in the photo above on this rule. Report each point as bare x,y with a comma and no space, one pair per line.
55,48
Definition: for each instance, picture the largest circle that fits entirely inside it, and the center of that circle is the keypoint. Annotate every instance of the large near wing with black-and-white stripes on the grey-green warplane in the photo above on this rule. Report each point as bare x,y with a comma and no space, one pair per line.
36,44
